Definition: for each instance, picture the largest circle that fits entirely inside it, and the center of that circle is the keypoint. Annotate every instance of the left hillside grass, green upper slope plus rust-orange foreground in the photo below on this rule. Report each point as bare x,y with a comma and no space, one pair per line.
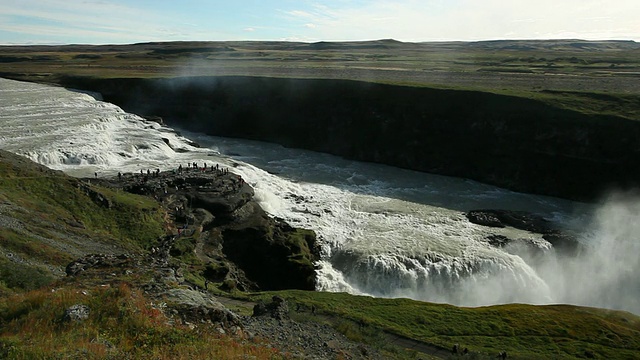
52,213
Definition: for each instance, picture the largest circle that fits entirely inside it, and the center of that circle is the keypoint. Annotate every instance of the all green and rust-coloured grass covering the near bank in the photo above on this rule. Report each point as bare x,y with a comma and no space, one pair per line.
48,219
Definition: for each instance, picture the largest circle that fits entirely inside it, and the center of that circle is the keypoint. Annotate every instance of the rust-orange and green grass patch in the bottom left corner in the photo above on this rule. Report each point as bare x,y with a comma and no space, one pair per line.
122,324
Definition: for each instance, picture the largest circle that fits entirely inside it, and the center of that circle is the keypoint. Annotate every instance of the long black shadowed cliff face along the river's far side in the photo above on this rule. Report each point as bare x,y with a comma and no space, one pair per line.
517,143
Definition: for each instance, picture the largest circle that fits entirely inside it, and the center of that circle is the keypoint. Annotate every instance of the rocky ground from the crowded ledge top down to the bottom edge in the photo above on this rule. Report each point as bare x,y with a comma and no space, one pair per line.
199,200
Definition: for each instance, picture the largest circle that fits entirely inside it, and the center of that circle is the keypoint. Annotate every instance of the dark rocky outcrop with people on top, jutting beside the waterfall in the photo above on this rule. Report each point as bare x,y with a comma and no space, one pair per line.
215,218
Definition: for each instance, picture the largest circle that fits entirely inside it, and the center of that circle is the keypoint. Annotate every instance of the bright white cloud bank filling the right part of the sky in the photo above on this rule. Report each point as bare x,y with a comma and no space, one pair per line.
411,20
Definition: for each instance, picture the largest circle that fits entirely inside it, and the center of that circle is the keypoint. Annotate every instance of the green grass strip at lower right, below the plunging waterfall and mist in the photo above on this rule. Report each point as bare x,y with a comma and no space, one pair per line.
524,331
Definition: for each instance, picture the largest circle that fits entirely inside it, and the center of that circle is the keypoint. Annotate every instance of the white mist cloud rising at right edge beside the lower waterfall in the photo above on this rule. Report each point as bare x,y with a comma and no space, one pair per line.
605,273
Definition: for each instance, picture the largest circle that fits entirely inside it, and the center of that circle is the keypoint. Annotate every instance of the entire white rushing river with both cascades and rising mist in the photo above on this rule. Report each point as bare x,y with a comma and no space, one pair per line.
385,231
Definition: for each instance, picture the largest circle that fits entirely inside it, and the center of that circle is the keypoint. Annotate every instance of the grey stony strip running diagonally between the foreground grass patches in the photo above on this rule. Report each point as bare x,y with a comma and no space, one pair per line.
186,304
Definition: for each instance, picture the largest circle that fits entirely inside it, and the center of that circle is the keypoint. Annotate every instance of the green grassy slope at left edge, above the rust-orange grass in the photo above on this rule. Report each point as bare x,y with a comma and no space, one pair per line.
50,220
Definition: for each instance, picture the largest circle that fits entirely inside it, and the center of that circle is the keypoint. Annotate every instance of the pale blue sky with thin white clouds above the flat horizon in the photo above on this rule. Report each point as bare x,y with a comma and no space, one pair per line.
124,22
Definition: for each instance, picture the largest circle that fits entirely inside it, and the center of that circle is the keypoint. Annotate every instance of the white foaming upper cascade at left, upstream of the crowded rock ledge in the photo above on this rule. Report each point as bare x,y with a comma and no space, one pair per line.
72,131
